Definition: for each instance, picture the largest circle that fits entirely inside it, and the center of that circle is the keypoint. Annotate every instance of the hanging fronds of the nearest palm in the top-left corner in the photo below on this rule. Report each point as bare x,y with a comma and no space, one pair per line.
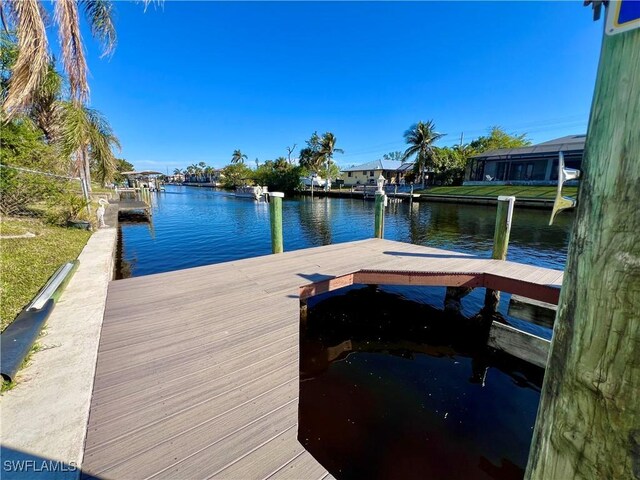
27,19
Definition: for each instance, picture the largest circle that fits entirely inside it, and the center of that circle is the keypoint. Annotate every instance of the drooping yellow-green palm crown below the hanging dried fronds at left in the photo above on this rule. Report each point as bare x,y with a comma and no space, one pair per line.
87,136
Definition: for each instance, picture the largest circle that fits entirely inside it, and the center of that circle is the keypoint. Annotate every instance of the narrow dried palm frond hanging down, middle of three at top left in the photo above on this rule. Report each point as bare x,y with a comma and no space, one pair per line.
73,57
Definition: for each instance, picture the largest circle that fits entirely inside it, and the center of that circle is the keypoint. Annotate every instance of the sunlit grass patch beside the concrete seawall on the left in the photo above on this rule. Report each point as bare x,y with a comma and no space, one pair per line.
27,263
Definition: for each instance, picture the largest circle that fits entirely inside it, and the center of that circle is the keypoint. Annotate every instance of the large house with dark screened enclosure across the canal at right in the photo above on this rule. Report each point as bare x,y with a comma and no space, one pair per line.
532,165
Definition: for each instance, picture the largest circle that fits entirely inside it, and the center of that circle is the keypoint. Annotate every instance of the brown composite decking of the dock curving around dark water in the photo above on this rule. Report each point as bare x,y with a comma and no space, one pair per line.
197,372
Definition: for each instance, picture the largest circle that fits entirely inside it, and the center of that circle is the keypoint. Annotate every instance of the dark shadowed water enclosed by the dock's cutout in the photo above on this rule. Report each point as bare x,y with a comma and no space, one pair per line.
395,389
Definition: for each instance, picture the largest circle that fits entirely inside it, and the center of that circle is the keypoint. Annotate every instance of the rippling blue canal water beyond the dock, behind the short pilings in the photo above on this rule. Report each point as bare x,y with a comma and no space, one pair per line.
201,226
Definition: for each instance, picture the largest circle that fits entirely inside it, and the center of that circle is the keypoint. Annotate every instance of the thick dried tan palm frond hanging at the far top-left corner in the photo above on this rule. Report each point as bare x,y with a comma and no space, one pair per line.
33,57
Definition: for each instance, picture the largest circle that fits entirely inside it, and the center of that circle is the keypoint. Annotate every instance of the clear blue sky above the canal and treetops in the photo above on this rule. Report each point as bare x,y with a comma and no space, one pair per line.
192,81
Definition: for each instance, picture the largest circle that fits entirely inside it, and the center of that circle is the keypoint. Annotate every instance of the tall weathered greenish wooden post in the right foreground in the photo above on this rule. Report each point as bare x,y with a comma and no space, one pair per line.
588,423
